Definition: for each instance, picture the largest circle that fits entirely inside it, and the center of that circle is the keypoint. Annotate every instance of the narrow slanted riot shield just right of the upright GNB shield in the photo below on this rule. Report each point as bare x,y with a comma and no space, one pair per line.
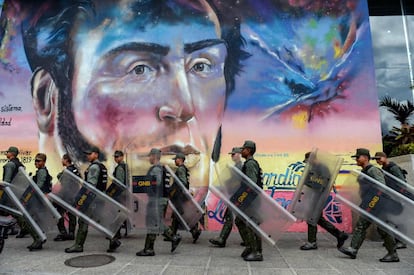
185,207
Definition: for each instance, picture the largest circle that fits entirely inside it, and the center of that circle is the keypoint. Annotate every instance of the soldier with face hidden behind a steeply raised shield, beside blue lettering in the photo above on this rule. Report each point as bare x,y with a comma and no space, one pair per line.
322,173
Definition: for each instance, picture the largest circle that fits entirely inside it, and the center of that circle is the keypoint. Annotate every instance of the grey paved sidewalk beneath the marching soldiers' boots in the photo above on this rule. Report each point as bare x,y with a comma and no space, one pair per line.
202,258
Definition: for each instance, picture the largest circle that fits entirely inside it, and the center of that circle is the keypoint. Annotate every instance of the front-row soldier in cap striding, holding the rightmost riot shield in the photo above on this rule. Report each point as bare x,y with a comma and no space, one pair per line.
362,159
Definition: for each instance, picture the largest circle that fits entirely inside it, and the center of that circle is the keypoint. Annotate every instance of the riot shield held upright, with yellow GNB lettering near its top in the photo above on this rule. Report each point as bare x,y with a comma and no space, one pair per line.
147,207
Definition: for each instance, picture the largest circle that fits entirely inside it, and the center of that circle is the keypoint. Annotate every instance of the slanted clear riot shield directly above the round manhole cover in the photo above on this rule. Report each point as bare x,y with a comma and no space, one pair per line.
88,203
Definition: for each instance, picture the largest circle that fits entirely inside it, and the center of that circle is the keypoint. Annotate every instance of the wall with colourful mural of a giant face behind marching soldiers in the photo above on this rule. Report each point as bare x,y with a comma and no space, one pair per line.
197,77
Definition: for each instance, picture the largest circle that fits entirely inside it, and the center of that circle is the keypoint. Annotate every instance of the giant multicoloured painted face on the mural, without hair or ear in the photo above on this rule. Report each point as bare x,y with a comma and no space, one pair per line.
158,86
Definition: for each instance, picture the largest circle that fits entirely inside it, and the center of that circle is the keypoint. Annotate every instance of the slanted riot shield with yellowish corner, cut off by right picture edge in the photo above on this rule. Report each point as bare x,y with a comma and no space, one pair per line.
379,203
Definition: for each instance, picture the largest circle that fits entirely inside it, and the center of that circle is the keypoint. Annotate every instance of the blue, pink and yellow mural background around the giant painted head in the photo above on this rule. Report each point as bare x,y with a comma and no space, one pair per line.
309,82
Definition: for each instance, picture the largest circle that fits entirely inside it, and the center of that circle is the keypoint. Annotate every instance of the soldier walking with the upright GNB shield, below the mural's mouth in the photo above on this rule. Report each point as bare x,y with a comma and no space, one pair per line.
159,197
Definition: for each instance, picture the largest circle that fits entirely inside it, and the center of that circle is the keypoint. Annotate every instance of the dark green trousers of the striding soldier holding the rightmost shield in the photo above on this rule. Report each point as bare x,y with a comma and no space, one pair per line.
361,230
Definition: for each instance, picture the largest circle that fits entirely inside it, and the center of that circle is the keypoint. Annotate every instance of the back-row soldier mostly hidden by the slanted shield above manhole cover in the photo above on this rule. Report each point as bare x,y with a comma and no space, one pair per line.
63,234
